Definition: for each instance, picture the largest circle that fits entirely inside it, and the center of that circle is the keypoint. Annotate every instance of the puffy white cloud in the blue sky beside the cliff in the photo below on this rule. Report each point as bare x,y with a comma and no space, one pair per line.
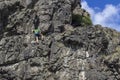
108,17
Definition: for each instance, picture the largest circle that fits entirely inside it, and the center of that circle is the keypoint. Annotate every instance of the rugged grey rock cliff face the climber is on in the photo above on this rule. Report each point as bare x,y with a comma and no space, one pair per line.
67,52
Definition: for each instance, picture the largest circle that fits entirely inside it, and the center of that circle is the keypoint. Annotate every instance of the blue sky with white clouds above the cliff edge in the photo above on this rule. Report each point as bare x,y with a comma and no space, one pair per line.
104,12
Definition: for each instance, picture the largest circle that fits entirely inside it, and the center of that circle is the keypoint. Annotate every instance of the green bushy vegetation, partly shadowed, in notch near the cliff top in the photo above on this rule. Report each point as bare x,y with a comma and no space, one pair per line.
81,20
